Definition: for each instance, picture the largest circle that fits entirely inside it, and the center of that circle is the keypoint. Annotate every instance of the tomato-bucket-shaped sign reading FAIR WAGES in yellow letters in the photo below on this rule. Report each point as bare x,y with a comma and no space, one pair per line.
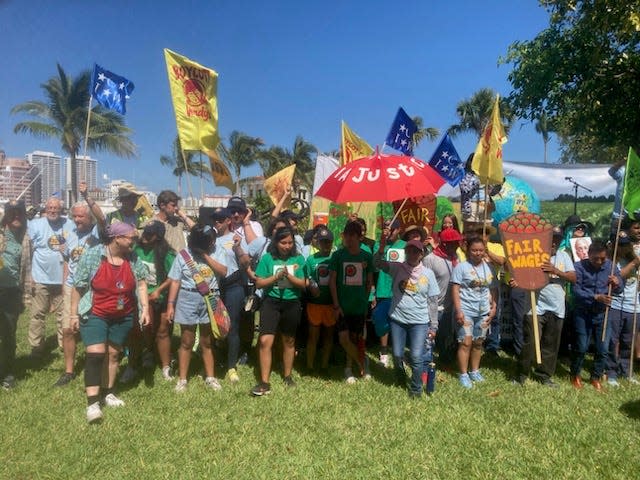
526,238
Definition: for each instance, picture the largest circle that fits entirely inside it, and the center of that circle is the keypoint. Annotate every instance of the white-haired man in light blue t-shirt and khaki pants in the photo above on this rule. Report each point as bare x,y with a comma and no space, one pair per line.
48,236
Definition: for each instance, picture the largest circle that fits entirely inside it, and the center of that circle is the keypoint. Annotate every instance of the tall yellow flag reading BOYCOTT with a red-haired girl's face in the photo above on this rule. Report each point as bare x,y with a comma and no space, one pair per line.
194,94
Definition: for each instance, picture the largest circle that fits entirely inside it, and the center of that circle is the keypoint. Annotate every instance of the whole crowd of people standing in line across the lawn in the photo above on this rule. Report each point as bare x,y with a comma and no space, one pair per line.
120,282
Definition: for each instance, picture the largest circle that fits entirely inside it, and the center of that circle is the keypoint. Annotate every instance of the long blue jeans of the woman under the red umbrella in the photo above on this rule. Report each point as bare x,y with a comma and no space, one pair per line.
416,333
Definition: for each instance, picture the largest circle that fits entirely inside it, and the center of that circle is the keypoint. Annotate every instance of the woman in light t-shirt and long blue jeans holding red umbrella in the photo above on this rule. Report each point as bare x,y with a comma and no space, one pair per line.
413,311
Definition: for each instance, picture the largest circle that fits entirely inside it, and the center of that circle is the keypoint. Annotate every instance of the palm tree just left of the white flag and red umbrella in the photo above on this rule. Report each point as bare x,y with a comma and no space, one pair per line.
276,158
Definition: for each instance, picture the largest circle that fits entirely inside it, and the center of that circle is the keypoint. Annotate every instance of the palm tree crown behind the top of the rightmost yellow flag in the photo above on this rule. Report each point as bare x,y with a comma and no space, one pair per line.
475,113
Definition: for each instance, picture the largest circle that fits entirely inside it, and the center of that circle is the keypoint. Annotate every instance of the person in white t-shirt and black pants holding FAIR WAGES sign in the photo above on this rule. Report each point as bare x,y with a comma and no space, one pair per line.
550,308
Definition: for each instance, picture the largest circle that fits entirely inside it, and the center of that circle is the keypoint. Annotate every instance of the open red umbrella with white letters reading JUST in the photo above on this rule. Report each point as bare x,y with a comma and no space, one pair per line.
381,178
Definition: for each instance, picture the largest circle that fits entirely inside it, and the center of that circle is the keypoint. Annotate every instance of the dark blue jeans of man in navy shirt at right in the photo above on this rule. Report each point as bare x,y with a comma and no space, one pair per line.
588,322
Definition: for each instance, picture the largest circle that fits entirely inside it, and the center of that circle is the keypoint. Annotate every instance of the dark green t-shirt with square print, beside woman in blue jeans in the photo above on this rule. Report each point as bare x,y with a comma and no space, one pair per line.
351,280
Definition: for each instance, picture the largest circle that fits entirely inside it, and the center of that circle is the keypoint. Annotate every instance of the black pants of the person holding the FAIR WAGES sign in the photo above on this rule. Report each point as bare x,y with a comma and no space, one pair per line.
550,328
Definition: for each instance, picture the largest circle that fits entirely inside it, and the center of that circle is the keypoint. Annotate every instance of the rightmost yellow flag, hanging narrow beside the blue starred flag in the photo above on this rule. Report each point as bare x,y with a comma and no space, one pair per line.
487,159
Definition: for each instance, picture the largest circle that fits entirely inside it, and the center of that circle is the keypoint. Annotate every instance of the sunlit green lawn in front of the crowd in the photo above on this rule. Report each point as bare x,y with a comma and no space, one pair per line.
321,429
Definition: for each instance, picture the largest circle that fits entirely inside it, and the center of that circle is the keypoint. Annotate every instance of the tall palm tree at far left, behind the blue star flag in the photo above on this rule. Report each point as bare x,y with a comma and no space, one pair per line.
63,115
